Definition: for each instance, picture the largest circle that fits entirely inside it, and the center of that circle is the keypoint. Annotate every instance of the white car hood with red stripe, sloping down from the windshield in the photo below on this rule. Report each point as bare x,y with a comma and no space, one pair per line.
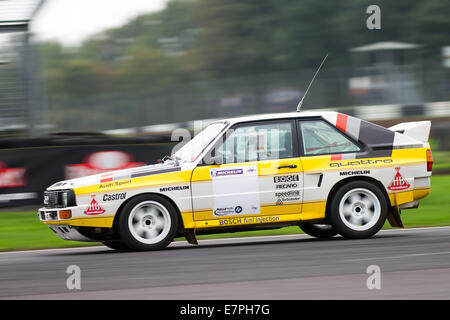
115,176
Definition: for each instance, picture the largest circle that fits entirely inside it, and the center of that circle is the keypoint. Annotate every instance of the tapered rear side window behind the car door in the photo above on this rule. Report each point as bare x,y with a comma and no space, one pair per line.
321,138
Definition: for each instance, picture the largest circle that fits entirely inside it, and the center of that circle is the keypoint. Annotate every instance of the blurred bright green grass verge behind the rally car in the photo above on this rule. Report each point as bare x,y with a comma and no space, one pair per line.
23,231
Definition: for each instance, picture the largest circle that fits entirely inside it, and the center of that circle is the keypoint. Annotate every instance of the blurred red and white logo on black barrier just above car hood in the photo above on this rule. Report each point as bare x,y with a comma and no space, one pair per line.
100,162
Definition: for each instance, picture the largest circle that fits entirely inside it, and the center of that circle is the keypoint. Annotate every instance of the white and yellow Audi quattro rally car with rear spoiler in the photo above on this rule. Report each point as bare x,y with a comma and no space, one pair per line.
326,172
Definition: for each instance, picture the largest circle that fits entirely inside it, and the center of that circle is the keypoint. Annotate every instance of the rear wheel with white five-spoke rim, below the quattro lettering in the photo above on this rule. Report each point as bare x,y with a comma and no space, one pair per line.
358,210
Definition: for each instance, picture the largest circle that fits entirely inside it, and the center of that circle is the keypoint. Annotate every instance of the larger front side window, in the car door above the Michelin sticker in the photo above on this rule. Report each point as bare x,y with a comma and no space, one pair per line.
257,142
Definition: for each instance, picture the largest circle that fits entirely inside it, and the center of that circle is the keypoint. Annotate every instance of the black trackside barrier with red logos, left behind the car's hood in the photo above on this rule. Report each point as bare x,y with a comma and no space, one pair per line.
28,167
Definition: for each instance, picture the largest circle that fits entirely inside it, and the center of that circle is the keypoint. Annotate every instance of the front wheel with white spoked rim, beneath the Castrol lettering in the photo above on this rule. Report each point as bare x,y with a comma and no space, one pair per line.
148,222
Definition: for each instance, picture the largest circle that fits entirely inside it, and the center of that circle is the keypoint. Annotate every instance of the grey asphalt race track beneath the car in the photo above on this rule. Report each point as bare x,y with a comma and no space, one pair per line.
414,264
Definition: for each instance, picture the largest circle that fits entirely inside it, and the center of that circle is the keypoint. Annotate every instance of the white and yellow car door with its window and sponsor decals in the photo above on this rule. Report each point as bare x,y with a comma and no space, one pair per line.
256,172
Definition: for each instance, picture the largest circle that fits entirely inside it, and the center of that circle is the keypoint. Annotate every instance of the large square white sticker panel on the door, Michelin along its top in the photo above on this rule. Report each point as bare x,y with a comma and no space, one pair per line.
229,181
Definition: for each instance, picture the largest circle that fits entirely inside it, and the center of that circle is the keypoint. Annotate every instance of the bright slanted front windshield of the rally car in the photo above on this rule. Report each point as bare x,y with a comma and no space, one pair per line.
191,150
